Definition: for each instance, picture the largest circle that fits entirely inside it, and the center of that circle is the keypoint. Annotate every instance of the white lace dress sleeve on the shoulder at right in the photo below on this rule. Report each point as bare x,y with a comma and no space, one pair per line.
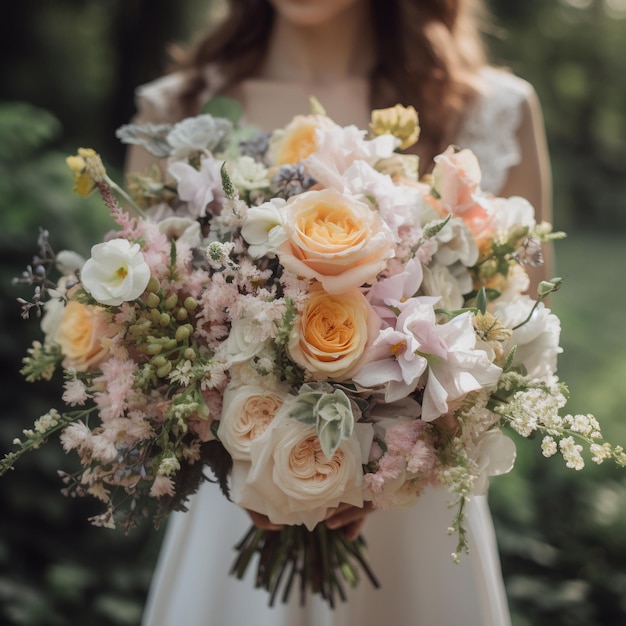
491,124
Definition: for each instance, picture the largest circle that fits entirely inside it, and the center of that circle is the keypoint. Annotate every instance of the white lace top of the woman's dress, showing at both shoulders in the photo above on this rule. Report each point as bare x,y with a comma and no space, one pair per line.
489,128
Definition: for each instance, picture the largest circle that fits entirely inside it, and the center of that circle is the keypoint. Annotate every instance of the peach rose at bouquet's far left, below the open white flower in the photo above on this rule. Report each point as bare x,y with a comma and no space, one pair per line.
79,333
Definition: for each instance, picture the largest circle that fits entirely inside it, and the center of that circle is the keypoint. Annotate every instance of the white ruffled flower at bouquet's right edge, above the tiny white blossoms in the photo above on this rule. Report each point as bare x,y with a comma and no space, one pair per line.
537,340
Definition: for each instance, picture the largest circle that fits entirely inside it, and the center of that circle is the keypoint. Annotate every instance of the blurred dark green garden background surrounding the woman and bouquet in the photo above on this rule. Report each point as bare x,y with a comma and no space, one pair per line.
69,69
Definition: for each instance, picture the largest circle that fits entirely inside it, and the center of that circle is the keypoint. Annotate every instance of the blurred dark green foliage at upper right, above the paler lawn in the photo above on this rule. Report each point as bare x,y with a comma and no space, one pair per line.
572,52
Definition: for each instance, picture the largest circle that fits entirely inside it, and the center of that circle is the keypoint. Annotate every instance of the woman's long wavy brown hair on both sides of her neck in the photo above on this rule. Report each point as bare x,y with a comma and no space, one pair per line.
429,54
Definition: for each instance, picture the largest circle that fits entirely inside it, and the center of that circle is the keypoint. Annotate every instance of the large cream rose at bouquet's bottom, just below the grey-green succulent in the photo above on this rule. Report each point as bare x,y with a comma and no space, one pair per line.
290,479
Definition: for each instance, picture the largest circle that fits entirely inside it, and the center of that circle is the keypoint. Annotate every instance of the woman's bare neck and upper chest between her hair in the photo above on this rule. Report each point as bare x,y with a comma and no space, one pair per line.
335,50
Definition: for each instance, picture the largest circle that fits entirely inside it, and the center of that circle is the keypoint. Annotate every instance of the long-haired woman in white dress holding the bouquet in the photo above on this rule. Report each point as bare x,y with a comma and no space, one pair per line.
353,55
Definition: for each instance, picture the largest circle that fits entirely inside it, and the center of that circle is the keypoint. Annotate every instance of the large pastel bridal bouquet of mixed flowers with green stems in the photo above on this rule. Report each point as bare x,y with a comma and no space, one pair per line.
304,315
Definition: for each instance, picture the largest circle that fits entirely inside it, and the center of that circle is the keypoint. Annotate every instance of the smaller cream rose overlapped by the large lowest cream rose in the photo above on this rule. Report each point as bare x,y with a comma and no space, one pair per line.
247,411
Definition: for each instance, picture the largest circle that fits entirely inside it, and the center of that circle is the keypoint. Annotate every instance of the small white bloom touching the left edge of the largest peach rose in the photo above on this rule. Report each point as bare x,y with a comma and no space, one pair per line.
263,228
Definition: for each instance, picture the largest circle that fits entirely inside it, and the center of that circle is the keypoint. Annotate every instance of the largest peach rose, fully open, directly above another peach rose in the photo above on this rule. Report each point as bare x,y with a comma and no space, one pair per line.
336,239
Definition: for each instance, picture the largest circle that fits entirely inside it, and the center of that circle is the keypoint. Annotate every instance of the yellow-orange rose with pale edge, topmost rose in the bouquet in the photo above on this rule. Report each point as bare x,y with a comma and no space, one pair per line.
298,139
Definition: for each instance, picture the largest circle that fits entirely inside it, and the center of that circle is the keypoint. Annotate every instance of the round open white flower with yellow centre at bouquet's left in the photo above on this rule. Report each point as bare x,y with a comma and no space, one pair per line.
116,272
